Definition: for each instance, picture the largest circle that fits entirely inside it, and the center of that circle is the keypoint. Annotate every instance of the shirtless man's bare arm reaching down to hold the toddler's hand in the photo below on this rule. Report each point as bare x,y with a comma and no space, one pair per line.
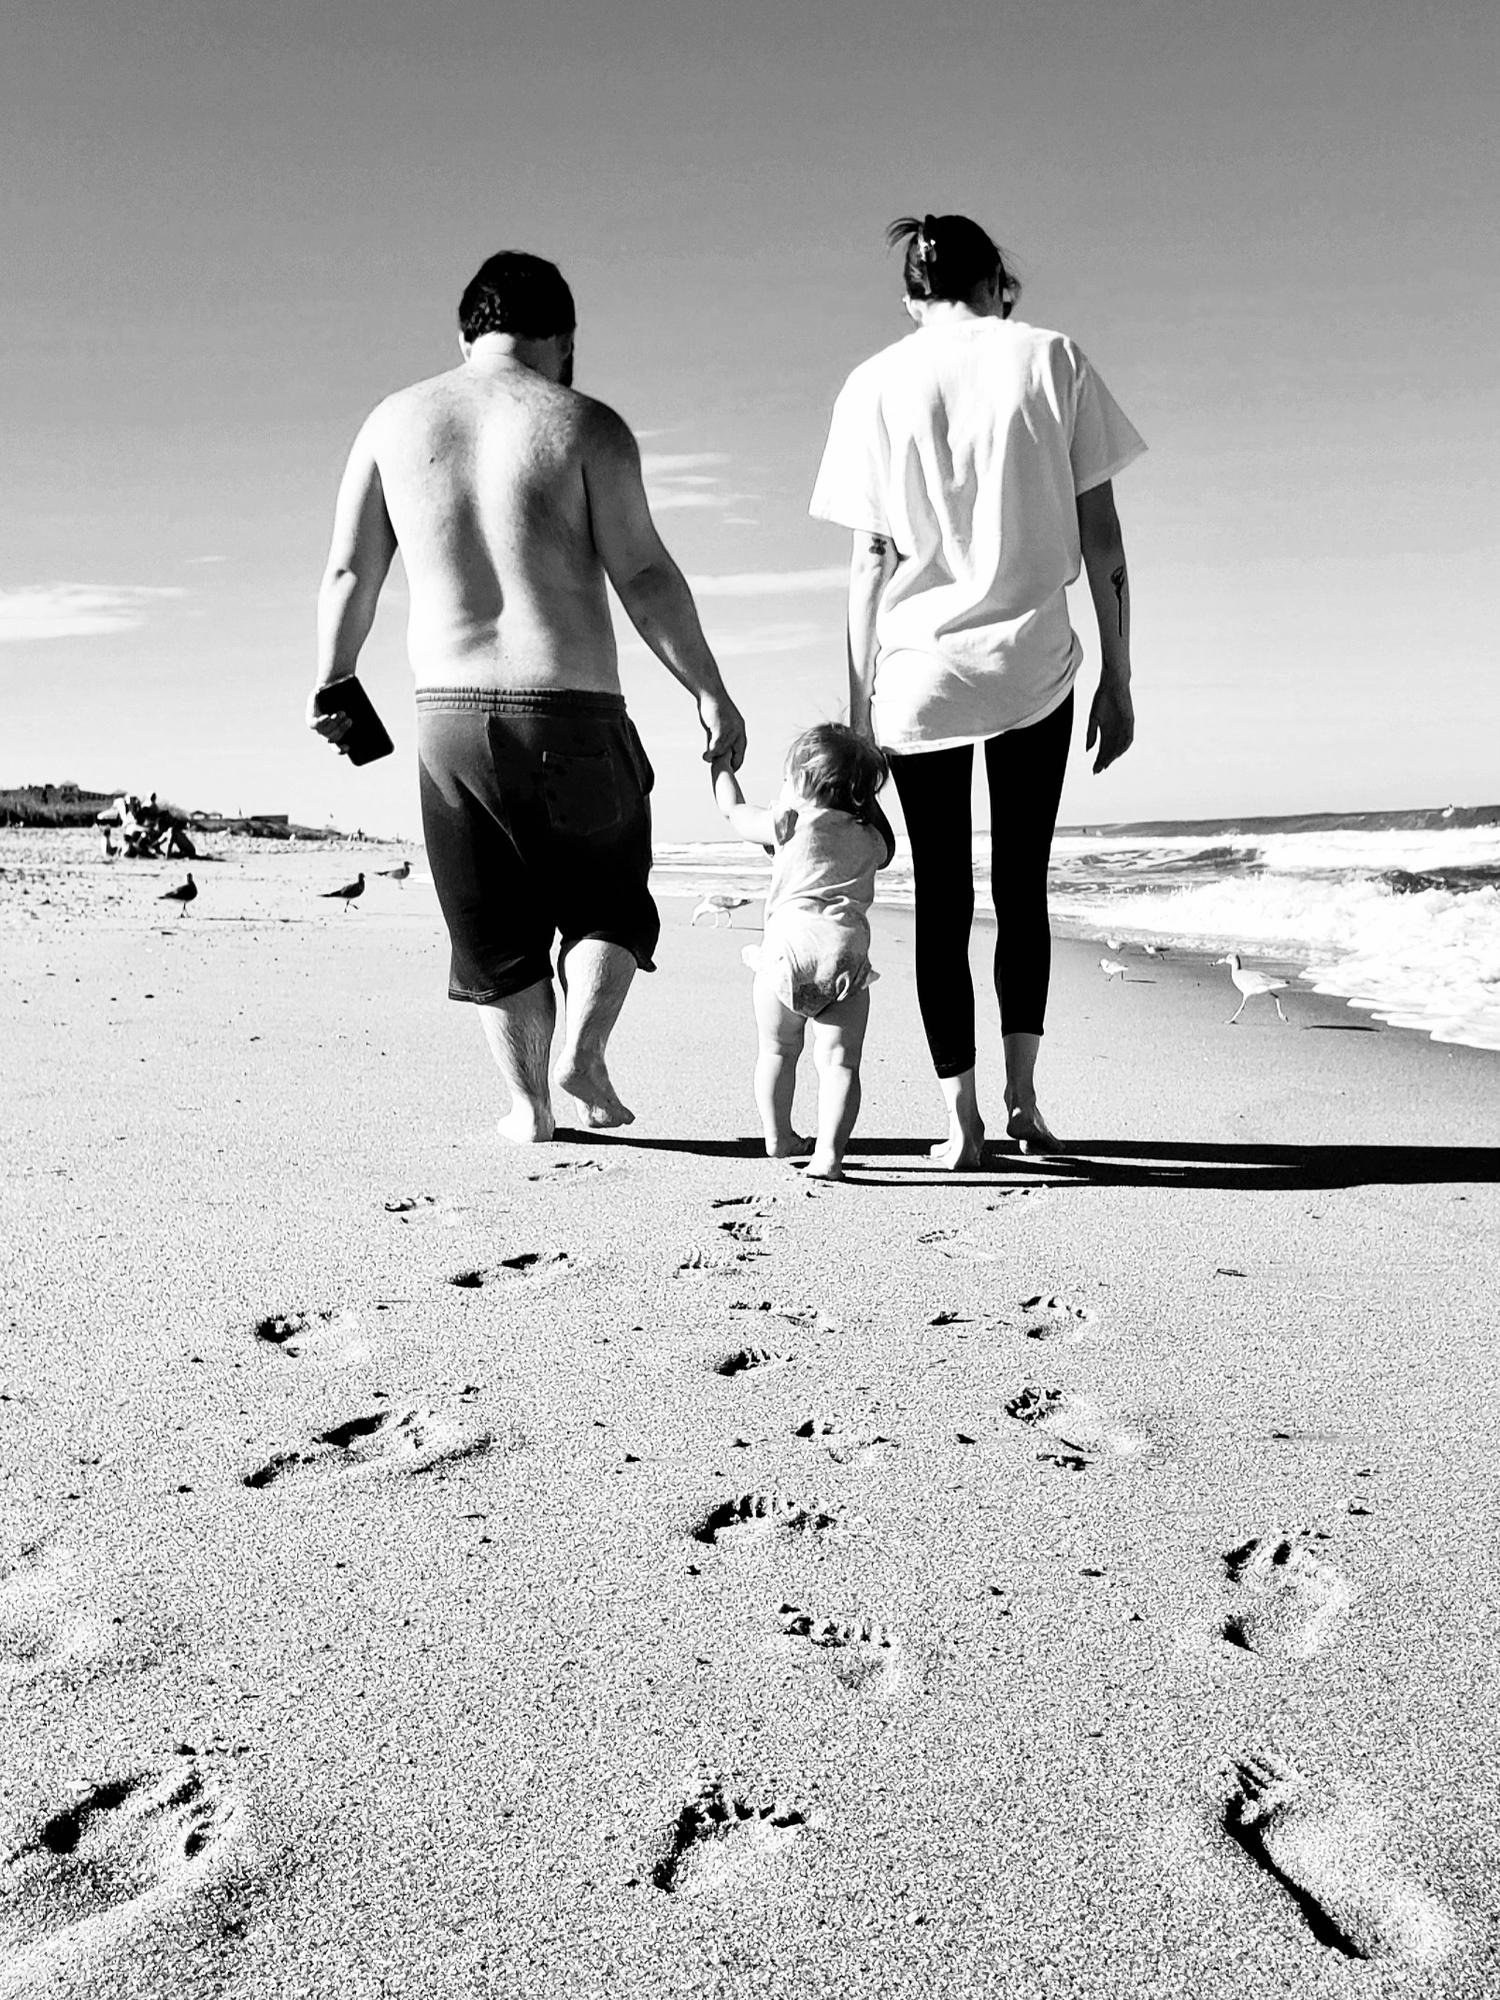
649,583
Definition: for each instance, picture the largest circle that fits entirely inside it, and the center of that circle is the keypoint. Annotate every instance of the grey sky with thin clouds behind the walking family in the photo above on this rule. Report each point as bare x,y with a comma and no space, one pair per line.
235,227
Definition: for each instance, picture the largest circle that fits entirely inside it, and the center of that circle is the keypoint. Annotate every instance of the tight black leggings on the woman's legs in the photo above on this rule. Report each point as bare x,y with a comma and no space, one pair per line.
1025,775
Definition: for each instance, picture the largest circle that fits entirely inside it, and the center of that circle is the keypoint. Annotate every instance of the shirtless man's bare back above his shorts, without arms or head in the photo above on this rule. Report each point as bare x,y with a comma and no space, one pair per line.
485,483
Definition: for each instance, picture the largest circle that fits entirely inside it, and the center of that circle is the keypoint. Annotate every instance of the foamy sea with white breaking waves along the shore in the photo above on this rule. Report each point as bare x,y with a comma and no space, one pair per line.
1401,921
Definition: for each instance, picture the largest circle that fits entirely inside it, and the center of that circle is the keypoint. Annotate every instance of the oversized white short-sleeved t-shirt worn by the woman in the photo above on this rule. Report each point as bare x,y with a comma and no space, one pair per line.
967,445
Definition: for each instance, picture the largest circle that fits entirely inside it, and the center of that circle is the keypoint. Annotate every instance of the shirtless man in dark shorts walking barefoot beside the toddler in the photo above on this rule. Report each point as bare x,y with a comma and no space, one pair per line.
513,499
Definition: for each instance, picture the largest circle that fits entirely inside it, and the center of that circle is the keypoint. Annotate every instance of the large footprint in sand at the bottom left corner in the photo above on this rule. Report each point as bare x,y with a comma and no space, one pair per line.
125,1843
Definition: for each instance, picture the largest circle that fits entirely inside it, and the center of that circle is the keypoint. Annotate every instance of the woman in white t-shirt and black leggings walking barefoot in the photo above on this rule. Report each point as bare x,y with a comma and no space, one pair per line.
973,463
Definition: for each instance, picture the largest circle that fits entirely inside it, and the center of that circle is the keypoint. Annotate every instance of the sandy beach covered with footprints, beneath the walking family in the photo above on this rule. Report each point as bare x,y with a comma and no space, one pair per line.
441,1569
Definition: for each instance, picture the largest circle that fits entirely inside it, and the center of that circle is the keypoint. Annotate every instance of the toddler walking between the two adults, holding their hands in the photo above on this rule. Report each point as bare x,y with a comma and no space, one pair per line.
829,839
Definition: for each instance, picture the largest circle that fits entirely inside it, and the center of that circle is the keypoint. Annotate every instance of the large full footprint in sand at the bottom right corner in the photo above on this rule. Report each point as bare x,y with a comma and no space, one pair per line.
1323,1845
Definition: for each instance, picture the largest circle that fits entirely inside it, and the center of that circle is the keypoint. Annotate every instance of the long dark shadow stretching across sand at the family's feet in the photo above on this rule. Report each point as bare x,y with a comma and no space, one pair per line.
1117,1165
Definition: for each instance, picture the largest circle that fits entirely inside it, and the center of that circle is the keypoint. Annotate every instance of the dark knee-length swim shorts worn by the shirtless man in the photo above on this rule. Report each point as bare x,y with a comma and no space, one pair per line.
537,819
